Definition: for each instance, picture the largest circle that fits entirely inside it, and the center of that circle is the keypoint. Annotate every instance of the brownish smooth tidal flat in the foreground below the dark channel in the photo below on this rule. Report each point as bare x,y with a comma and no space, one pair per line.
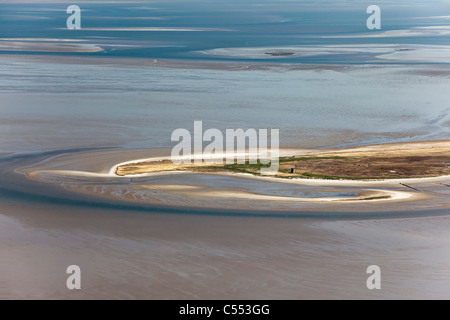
126,255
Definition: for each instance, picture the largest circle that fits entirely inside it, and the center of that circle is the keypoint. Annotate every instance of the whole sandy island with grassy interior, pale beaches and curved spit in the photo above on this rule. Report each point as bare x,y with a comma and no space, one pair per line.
369,174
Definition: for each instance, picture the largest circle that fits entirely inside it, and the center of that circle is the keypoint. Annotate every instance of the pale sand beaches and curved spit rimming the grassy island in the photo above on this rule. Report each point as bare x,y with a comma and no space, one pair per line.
367,191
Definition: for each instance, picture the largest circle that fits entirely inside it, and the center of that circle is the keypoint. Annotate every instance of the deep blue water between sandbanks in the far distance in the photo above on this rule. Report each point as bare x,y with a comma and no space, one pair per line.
234,24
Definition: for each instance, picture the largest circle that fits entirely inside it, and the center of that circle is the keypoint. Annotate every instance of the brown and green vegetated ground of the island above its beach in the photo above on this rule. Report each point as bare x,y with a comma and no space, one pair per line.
395,161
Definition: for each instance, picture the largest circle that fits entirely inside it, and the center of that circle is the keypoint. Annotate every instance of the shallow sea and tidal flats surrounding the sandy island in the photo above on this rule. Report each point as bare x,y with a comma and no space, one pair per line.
71,101
